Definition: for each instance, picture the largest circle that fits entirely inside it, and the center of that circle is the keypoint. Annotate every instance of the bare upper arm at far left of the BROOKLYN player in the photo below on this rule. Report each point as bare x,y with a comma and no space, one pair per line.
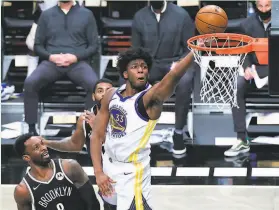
22,197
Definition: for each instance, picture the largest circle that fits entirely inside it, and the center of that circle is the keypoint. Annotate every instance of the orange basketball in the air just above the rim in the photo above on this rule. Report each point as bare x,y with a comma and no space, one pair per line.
211,19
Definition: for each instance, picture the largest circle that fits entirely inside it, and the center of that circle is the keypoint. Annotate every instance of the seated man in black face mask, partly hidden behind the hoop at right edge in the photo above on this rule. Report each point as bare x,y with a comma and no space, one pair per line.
255,26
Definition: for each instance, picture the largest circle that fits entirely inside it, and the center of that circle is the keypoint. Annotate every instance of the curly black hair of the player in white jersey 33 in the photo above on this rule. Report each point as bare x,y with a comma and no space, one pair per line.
132,54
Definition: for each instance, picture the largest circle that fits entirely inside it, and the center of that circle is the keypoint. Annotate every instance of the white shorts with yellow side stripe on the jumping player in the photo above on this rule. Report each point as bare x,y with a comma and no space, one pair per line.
133,184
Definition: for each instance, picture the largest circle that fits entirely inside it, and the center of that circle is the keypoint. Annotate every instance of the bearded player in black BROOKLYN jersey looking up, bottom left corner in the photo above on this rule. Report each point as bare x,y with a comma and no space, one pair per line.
51,184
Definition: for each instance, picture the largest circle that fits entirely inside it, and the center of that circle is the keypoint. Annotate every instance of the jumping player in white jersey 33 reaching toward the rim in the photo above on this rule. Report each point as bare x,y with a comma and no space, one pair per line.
131,113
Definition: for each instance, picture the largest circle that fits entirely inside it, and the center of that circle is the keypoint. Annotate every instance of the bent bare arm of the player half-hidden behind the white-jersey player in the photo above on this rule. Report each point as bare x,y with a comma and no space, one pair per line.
73,143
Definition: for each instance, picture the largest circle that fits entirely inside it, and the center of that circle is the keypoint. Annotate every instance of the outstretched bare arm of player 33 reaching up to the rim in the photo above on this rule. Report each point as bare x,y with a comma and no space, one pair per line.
154,98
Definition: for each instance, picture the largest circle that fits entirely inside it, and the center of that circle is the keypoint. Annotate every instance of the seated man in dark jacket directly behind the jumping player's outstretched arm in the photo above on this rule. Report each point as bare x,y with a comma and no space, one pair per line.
164,29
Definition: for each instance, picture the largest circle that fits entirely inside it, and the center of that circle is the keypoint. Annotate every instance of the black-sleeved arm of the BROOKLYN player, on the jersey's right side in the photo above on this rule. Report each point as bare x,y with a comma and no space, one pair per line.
80,179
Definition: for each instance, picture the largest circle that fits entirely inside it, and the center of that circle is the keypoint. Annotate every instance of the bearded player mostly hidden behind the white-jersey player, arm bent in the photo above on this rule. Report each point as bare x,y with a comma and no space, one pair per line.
85,123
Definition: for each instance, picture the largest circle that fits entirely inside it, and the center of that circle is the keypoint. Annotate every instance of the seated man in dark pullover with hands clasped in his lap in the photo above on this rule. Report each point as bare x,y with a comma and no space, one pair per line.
66,39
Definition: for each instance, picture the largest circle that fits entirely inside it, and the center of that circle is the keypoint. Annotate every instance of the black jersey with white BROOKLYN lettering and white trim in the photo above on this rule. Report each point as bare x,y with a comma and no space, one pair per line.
59,193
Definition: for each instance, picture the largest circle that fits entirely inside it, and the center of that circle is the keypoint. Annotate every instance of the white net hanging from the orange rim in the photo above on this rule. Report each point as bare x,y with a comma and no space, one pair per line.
219,74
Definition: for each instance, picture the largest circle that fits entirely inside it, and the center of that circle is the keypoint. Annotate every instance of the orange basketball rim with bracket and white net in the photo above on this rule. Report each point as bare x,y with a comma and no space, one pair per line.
220,57
